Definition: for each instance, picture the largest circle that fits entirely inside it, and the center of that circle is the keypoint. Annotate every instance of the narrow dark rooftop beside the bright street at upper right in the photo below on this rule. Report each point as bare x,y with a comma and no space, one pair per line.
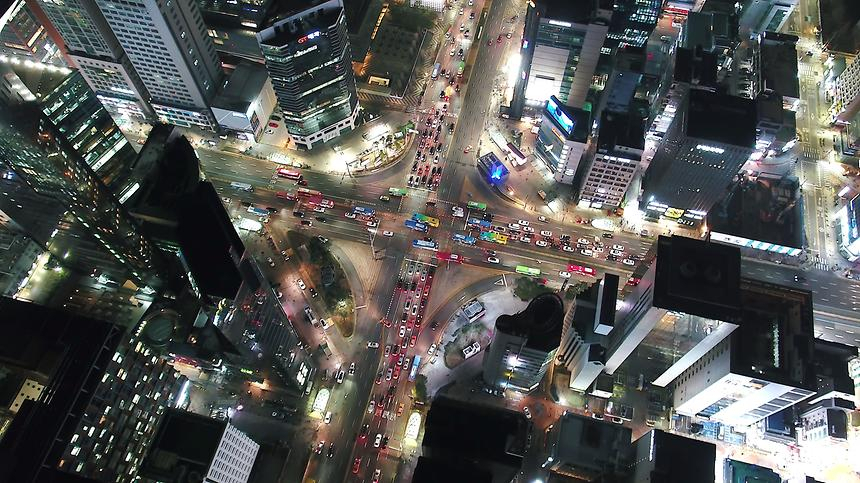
778,55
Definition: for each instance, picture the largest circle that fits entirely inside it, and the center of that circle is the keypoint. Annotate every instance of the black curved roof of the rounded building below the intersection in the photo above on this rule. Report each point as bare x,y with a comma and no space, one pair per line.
540,323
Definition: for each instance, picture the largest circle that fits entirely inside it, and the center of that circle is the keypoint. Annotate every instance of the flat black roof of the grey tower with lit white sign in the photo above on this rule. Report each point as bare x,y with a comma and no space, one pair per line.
721,118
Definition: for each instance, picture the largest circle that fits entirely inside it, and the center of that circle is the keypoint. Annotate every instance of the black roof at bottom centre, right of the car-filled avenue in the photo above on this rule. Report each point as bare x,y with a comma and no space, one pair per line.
468,435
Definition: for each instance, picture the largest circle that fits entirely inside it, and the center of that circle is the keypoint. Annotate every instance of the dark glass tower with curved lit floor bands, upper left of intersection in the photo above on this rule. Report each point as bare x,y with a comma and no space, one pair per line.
308,57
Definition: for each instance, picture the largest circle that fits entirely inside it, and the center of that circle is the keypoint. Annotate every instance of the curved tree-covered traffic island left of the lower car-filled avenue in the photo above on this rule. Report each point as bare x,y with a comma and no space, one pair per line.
327,276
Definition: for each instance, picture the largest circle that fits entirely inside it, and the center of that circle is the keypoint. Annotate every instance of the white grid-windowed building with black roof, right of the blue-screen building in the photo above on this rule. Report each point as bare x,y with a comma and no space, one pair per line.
620,144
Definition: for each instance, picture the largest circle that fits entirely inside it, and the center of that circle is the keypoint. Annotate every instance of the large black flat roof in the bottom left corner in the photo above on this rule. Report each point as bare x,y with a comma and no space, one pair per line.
64,351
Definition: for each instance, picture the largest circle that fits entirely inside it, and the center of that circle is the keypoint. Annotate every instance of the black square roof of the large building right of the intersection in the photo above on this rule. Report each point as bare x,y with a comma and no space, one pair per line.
698,277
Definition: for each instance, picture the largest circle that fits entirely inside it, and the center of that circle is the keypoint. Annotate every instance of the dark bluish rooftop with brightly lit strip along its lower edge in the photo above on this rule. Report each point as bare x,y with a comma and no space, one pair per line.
765,209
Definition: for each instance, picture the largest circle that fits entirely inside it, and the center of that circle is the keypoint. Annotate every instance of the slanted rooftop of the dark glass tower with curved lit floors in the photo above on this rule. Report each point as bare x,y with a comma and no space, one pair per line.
299,20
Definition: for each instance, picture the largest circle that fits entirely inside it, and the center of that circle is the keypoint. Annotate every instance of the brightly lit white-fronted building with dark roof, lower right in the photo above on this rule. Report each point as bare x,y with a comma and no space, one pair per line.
761,368
